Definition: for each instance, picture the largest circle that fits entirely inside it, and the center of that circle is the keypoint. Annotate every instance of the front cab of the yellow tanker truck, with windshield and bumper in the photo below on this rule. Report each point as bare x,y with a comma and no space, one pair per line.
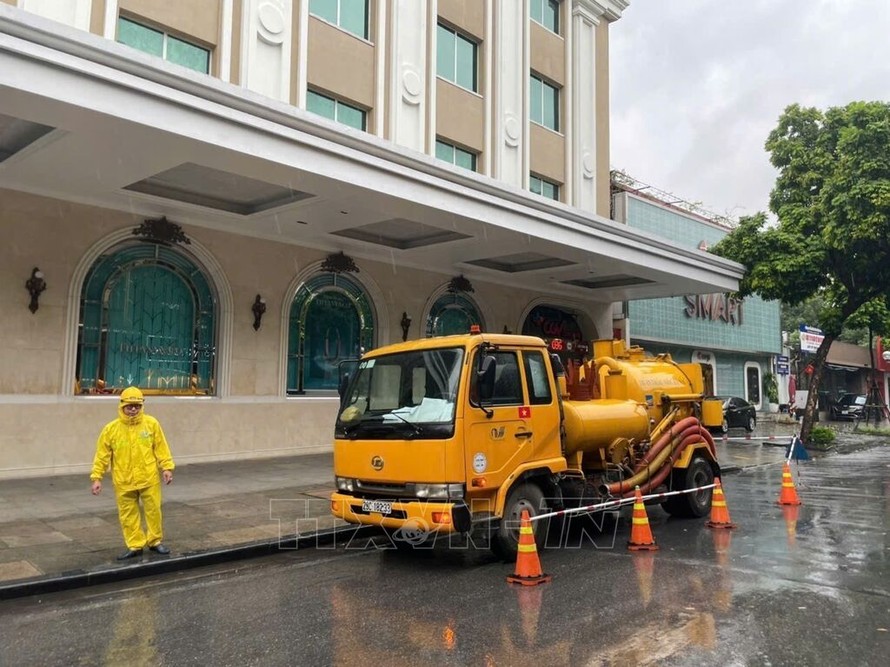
430,433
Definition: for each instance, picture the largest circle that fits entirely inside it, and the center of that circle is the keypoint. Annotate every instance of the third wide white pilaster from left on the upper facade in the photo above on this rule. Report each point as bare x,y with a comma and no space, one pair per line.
510,72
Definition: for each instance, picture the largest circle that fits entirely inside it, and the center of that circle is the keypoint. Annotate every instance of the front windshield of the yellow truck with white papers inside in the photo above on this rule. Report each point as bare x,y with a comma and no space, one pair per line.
404,395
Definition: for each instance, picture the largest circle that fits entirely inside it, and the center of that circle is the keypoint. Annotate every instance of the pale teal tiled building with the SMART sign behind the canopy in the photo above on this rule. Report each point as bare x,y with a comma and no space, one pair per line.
737,340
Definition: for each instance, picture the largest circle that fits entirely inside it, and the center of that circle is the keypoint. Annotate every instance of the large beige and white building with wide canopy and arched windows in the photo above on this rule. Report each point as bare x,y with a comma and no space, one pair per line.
220,200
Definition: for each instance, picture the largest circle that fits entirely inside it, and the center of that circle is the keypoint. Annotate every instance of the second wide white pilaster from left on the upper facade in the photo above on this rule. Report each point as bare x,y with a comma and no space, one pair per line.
410,81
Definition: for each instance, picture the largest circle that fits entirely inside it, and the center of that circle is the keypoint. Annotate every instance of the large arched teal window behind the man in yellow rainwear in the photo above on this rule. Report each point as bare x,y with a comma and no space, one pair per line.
147,319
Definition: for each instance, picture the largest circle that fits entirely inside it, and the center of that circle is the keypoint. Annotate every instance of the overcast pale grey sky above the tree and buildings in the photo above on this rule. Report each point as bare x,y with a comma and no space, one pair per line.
697,85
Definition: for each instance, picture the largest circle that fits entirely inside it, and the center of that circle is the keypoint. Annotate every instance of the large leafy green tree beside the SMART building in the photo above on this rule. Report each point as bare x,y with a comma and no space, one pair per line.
832,202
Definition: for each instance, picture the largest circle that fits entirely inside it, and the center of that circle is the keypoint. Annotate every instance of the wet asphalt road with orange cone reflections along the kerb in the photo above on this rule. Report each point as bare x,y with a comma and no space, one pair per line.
789,586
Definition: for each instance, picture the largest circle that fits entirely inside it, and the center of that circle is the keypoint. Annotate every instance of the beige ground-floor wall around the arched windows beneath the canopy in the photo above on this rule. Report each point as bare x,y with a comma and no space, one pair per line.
254,418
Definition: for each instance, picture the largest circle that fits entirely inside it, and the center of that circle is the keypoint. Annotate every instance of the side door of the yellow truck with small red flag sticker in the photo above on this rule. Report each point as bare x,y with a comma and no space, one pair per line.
496,445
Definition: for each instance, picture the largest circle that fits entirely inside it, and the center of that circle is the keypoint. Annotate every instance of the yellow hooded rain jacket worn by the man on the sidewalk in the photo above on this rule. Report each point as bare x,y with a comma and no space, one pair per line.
136,449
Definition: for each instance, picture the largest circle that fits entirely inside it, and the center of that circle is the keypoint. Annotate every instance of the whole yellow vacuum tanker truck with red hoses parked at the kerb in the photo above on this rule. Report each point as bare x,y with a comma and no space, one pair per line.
455,434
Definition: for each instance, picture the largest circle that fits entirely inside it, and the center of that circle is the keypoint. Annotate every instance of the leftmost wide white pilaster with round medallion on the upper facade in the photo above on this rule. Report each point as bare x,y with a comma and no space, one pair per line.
266,47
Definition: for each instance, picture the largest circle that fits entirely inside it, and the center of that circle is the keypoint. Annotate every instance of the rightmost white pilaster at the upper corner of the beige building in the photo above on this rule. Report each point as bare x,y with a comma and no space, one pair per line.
583,99
